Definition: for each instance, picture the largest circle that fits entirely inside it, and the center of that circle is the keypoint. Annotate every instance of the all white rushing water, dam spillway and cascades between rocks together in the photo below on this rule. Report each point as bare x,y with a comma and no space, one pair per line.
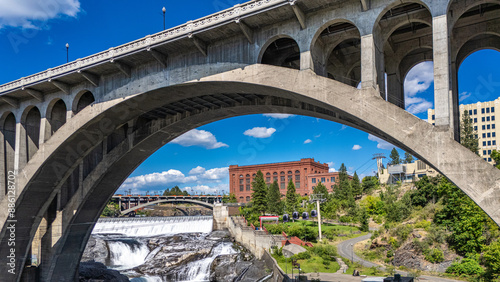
127,241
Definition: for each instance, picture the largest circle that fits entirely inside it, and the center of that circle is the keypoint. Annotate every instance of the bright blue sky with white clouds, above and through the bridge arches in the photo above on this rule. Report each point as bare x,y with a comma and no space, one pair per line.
35,33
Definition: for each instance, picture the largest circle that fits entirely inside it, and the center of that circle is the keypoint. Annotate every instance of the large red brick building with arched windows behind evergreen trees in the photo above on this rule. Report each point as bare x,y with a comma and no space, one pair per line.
241,177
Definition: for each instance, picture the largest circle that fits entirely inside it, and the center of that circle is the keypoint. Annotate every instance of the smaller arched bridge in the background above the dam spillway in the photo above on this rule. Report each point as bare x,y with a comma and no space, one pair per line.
130,203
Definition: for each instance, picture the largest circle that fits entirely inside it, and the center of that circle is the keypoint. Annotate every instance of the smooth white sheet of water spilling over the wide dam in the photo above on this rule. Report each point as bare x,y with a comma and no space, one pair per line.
146,227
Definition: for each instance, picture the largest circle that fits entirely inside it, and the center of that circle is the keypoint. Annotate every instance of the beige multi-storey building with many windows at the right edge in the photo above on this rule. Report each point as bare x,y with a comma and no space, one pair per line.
484,121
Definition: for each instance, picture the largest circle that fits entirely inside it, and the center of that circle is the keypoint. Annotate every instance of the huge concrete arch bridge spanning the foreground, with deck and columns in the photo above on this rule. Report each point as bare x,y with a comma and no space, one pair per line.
71,135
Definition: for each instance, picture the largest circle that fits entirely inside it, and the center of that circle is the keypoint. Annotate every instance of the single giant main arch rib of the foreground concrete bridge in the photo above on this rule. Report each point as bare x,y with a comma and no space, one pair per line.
250,90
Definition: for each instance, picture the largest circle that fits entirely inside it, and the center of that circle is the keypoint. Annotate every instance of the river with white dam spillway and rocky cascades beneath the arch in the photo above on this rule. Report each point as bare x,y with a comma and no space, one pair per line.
162,249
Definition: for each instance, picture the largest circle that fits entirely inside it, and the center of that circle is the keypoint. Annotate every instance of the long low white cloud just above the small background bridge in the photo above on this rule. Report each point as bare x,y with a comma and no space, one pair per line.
171,176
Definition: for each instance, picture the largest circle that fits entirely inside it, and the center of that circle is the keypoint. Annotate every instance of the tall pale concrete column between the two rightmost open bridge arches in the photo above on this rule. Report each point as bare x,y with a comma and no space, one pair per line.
443,101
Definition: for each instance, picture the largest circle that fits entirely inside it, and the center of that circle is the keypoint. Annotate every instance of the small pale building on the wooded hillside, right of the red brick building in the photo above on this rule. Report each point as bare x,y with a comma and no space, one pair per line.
406,173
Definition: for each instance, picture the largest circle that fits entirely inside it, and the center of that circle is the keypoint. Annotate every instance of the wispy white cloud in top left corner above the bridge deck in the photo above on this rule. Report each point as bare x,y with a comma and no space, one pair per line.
31,13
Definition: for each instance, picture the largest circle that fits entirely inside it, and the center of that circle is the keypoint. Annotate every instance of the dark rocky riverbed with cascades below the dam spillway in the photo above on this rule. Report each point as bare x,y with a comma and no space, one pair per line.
180,257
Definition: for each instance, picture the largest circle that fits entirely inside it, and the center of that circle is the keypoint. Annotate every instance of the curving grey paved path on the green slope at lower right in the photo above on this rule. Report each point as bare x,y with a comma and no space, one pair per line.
346,250
